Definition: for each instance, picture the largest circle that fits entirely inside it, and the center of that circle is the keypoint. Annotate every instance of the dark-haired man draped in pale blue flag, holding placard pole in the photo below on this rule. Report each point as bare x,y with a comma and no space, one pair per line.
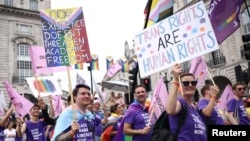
82,125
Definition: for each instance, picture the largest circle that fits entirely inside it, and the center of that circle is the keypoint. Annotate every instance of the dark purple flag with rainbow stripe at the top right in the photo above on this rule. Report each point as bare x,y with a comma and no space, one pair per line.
224,17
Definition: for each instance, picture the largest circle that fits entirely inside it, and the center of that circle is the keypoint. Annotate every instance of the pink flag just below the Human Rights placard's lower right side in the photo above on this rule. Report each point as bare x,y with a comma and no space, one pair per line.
199,69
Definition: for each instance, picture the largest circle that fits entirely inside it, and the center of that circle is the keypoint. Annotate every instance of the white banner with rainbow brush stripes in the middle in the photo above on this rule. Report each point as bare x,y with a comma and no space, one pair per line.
46,85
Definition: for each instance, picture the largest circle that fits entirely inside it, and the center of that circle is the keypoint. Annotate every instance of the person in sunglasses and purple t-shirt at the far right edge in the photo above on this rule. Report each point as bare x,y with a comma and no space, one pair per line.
237,114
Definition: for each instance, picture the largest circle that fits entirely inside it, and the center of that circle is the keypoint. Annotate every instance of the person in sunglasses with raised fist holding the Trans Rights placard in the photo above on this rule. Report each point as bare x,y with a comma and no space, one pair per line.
193,129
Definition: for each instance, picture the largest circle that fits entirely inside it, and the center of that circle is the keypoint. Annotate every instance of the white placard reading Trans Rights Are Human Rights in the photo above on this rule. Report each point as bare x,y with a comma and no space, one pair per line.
176,39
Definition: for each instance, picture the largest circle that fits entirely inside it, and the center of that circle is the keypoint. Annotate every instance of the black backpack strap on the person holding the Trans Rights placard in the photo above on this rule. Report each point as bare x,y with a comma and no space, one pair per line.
182,119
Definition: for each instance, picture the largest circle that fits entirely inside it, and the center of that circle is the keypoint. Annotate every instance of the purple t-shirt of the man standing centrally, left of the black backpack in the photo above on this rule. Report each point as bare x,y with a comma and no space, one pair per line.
139,120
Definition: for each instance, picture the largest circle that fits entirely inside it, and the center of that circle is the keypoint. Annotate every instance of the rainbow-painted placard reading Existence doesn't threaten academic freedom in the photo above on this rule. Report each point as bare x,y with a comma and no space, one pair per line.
65,37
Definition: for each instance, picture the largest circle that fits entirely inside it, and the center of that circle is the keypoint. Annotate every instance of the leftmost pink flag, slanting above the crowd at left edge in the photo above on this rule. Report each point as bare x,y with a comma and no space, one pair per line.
22,105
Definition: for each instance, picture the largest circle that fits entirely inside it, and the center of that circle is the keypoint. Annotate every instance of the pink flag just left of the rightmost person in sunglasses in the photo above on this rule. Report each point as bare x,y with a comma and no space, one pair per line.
225,97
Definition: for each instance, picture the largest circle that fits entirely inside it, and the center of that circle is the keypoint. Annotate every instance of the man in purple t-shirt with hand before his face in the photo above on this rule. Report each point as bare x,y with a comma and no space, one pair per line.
206,105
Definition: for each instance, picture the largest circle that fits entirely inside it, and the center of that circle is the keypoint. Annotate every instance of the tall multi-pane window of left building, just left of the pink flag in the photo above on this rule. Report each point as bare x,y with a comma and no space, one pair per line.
23,62
